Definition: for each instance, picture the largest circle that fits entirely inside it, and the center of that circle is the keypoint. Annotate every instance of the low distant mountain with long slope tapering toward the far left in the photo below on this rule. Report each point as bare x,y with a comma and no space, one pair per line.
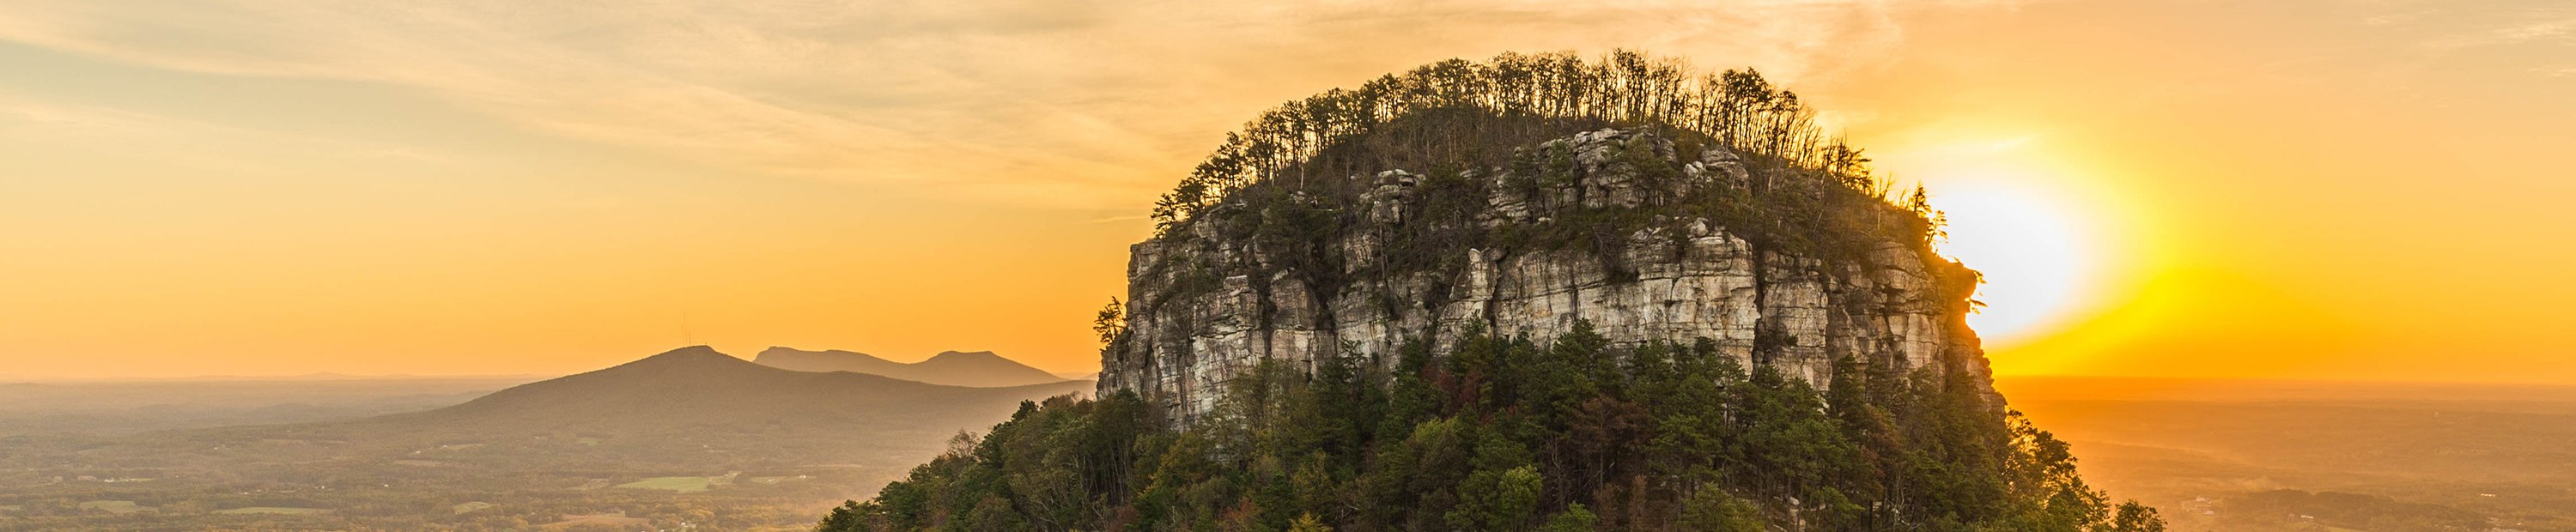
689,407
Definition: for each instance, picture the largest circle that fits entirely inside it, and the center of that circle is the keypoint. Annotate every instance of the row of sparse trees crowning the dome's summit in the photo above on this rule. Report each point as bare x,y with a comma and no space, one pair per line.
1472,114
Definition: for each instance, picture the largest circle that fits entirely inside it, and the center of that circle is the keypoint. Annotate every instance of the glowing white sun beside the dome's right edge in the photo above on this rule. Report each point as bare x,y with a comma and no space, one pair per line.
2041,258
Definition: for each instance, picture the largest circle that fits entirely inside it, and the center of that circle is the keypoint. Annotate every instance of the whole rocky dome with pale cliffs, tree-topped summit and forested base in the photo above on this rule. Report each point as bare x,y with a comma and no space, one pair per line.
1529,294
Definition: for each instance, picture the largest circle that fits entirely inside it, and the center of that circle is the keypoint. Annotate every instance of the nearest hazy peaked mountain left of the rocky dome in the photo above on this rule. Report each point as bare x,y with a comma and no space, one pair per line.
699,402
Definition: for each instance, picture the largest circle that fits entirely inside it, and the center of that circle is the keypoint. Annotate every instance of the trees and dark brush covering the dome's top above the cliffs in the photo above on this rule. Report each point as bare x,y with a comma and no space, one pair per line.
1300,179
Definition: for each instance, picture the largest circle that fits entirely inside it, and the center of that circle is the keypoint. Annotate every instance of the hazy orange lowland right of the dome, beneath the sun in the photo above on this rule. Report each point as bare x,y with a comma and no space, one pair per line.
2255,456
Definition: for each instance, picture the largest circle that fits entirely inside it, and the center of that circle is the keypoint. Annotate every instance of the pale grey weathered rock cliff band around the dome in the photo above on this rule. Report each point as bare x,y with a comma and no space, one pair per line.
1207,307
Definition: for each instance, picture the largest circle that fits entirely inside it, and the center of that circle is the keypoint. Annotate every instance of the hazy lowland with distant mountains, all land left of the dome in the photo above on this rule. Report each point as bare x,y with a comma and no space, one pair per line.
689,436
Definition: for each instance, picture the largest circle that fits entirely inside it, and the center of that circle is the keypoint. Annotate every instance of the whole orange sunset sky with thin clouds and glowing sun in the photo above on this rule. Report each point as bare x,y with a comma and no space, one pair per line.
264,189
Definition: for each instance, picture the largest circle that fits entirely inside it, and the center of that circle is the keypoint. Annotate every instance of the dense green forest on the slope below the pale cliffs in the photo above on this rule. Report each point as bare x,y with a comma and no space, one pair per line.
1508,433
